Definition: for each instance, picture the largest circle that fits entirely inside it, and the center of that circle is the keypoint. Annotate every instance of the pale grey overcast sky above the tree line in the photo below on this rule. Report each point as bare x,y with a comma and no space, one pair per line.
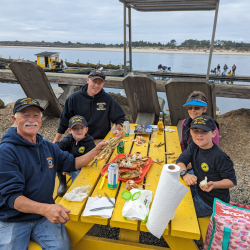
93,21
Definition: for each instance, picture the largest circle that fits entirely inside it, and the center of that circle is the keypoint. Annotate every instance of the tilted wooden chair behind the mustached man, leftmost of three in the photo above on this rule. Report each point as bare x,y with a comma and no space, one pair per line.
35,85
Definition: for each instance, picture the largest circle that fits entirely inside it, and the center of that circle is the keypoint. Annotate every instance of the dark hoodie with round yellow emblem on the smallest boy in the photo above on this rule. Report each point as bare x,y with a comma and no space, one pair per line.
68,143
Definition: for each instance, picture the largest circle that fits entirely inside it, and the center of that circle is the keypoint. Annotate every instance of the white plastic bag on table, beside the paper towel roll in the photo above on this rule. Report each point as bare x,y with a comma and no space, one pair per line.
137,207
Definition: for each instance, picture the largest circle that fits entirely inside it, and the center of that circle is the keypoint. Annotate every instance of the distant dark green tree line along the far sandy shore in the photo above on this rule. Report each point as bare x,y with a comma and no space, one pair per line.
190,43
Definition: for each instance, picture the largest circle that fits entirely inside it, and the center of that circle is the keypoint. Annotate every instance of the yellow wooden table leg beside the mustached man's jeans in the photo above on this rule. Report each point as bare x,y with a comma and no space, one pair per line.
76,230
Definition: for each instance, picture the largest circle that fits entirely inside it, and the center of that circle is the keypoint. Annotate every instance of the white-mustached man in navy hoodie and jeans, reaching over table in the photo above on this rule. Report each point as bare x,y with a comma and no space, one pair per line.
28,165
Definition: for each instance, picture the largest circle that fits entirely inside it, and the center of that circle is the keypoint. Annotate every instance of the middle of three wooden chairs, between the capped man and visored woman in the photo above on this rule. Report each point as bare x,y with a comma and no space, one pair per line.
143,101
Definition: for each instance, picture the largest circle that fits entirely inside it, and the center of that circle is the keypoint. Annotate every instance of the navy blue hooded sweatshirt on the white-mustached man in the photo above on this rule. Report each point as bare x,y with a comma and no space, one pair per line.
28,169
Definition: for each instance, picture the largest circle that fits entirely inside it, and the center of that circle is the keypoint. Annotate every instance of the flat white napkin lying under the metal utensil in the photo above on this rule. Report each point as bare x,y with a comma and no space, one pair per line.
96,202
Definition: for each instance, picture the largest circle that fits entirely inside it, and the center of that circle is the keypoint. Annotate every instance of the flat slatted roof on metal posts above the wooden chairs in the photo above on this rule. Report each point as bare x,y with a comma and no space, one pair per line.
170,5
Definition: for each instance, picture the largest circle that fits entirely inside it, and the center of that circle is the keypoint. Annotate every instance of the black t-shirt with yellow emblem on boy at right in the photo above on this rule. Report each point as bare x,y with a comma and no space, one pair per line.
213,163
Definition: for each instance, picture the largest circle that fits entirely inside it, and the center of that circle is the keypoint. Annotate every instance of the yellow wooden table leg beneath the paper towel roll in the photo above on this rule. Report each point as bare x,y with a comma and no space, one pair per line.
176,243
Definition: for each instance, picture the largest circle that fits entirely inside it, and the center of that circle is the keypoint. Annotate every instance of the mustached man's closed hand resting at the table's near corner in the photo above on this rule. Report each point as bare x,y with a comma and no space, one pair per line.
56,213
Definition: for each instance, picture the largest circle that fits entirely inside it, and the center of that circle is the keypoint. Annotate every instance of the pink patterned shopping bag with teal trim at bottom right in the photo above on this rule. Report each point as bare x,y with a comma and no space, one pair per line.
228,228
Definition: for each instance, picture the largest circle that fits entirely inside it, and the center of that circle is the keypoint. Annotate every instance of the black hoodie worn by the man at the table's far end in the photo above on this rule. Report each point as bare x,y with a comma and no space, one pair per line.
99,111
